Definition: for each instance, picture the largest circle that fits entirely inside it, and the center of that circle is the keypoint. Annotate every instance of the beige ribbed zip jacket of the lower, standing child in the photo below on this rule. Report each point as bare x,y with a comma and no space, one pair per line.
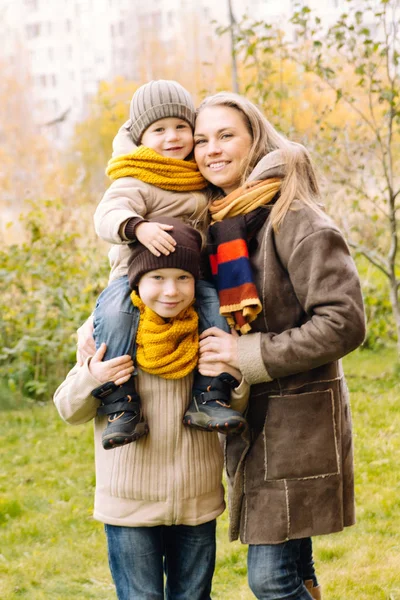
171,476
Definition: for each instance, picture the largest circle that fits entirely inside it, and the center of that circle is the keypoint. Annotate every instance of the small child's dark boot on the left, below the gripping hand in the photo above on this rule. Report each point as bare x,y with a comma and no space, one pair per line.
125,420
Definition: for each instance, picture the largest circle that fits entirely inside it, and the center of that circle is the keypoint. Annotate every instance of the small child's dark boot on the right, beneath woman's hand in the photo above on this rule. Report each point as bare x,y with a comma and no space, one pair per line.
211,410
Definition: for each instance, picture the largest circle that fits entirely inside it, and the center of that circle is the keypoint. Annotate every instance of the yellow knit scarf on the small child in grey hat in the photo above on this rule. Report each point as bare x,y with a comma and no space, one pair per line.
166,173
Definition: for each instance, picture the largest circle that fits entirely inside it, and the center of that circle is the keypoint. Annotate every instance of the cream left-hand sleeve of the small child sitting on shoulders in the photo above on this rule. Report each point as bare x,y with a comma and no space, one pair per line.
125,198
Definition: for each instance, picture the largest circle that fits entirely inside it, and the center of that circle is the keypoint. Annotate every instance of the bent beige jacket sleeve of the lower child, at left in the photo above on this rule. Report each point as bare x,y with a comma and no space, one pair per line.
73,398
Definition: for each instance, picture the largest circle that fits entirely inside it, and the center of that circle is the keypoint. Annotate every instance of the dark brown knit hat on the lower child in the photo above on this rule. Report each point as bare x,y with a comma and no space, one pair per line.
186,255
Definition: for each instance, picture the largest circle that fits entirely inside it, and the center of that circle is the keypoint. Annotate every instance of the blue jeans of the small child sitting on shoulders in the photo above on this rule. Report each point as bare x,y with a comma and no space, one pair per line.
116,319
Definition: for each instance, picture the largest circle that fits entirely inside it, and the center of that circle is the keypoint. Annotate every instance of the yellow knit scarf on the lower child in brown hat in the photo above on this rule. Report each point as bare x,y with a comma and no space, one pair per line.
168,349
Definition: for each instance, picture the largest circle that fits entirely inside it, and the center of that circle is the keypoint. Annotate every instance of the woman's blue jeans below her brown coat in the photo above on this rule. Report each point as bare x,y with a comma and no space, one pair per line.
273,571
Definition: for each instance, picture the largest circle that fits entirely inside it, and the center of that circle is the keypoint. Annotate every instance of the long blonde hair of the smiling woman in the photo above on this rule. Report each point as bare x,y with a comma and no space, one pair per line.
299,182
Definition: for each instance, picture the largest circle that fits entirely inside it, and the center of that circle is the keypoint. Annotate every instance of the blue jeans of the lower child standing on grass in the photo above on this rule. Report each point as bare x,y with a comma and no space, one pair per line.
139,557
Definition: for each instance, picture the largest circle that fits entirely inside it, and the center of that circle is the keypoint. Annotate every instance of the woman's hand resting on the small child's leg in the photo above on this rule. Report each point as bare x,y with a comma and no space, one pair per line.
219,353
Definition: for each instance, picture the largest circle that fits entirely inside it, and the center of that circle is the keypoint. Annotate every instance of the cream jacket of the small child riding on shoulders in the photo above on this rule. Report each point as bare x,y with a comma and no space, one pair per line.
127,198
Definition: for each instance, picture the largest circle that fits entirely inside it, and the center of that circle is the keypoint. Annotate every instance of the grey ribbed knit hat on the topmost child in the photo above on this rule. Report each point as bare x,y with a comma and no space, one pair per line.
158,100
